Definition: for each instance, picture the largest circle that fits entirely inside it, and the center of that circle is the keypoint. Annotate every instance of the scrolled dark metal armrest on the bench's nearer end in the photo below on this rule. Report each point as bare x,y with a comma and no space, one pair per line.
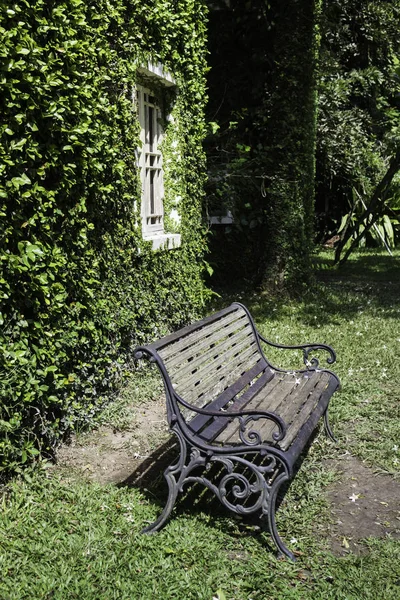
244,417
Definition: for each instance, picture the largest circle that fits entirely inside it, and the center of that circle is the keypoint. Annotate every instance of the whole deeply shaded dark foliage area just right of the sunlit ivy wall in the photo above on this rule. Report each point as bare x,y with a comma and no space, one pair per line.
261,159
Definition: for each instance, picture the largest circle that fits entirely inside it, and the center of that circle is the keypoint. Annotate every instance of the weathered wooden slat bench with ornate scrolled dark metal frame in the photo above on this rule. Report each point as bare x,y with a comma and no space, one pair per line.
241,422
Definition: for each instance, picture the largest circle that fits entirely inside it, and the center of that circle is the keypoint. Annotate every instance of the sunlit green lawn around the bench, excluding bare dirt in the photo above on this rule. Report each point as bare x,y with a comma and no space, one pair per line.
62,537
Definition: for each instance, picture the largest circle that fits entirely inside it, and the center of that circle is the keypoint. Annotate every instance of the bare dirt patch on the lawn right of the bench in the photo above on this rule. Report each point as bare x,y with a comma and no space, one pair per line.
363,504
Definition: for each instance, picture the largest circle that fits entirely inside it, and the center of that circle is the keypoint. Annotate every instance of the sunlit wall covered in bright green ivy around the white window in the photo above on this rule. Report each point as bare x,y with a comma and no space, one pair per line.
78,285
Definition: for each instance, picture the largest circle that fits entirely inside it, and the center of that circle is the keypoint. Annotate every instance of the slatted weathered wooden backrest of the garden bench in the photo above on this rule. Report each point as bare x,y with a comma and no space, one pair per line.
208,357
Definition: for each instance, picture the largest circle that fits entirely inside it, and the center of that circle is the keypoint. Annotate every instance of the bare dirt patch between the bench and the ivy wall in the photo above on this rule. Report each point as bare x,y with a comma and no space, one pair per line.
111,456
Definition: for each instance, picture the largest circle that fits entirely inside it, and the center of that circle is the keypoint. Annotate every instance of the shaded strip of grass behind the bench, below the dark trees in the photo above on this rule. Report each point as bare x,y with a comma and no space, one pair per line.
368,281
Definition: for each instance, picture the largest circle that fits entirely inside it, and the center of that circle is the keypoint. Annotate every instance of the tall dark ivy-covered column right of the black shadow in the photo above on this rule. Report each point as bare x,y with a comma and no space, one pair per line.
289,149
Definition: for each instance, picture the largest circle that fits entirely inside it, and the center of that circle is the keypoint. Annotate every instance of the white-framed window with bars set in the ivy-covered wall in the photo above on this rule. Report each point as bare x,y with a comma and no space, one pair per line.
150,159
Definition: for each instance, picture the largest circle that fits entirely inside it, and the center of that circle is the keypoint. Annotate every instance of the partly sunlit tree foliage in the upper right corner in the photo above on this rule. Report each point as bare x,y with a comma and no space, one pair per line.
358,125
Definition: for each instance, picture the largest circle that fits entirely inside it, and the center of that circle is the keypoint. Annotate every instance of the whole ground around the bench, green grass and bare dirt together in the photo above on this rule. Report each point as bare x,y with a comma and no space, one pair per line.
72,530
